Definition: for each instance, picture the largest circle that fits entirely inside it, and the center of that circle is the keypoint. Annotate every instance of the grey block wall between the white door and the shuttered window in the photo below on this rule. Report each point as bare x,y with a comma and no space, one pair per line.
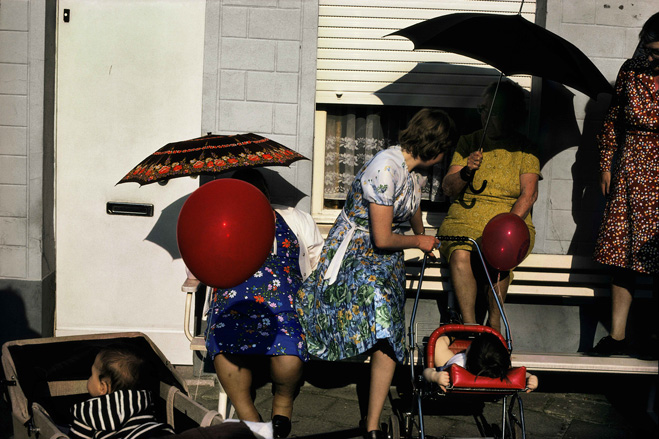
259,75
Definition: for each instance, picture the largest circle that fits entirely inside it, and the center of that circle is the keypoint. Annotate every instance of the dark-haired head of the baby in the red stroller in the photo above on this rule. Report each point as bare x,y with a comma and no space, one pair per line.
487,356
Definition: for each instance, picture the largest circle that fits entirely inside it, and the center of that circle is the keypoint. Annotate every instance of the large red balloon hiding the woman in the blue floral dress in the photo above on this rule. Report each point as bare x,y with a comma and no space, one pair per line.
225,232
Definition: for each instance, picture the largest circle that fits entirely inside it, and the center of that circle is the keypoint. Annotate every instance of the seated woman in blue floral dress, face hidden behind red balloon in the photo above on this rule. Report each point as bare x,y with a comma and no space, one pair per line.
256,320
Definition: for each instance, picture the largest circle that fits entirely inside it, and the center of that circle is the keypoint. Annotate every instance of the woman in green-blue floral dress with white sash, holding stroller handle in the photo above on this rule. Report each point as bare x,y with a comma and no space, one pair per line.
353,302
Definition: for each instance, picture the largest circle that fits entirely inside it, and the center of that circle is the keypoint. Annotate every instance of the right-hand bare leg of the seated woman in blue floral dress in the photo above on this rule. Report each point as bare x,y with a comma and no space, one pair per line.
286,373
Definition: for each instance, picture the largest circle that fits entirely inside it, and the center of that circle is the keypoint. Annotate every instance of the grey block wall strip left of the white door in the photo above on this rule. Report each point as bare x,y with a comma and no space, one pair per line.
26,288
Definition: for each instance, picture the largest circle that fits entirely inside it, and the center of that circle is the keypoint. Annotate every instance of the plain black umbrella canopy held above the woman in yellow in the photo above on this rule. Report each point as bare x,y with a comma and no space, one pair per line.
511,44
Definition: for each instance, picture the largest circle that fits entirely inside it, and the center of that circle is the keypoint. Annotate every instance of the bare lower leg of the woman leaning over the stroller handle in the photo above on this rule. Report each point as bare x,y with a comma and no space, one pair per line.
382,373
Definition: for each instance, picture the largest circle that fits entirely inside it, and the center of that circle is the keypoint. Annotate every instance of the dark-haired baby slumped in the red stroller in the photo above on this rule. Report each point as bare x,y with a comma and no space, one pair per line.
486,356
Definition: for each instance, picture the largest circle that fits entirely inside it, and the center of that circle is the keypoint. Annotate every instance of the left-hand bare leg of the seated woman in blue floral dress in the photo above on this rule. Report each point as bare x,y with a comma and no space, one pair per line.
237,382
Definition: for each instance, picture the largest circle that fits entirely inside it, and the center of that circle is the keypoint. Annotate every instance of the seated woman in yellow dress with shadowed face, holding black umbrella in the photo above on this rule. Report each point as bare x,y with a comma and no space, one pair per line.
509,163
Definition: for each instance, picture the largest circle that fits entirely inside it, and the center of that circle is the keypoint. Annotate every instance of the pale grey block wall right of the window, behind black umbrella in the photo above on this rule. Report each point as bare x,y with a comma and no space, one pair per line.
570,205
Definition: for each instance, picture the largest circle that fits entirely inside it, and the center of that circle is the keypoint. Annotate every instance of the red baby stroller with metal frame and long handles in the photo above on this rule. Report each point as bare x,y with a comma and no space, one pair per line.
462,382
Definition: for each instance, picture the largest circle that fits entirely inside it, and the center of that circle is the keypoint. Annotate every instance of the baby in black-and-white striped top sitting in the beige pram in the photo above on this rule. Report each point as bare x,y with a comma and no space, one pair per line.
122,407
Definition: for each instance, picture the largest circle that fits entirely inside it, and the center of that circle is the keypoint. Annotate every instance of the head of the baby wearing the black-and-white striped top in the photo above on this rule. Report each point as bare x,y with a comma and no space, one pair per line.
116,368
